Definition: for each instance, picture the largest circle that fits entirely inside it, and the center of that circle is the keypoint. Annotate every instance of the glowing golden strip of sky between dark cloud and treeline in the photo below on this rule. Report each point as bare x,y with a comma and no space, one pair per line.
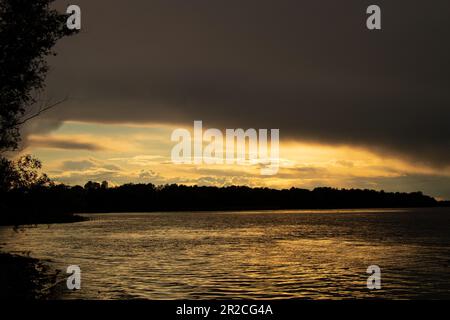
78,151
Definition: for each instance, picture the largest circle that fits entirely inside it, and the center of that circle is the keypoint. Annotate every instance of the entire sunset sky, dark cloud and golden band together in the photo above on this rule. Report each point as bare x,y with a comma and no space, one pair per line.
355,108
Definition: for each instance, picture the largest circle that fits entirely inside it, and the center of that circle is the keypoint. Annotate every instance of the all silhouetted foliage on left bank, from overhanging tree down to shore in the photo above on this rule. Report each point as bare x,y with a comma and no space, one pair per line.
28,32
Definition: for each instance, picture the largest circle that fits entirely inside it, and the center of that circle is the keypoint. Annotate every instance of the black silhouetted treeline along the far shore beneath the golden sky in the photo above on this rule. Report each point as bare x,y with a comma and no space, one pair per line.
95,197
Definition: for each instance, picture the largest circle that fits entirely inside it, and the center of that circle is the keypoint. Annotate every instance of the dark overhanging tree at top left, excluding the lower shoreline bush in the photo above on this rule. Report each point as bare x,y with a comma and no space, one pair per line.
28,32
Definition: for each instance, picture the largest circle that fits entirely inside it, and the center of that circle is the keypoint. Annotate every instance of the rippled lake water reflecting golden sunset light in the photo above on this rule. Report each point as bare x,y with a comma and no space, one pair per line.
273,254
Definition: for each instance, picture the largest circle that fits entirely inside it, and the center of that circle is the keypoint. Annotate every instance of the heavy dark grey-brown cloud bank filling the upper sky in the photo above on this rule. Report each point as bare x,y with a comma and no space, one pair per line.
310,68
